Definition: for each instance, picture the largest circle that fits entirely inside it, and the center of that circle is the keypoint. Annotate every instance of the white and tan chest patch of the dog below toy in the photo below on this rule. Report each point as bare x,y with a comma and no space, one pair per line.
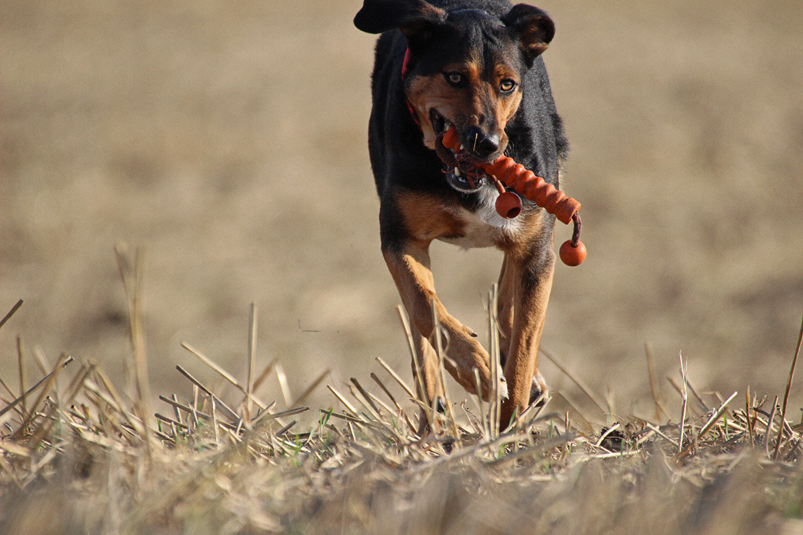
484,227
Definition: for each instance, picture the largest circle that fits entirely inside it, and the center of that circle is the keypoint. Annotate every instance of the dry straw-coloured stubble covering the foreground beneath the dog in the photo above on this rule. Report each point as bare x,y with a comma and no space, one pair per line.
77,457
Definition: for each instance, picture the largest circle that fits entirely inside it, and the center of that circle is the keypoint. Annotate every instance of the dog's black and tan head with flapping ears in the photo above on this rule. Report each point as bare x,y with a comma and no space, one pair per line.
465,66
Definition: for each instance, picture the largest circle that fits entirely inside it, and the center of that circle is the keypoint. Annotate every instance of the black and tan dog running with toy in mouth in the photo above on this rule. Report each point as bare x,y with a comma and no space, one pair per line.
476,66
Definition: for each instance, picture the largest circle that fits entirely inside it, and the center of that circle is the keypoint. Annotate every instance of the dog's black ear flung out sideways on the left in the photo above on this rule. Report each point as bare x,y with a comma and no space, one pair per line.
414,18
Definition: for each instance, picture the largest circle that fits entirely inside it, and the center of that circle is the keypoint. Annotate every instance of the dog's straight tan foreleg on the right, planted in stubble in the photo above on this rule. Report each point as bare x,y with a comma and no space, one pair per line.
525,286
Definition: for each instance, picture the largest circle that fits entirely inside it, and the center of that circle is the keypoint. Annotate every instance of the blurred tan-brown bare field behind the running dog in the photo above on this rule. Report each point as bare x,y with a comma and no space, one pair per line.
229,140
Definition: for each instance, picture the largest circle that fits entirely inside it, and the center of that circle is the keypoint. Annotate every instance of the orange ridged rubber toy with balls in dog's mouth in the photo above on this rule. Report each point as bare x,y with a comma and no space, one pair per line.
524,182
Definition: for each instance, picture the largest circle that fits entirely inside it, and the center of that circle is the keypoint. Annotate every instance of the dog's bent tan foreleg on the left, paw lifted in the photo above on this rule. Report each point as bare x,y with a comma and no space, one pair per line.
410,268
